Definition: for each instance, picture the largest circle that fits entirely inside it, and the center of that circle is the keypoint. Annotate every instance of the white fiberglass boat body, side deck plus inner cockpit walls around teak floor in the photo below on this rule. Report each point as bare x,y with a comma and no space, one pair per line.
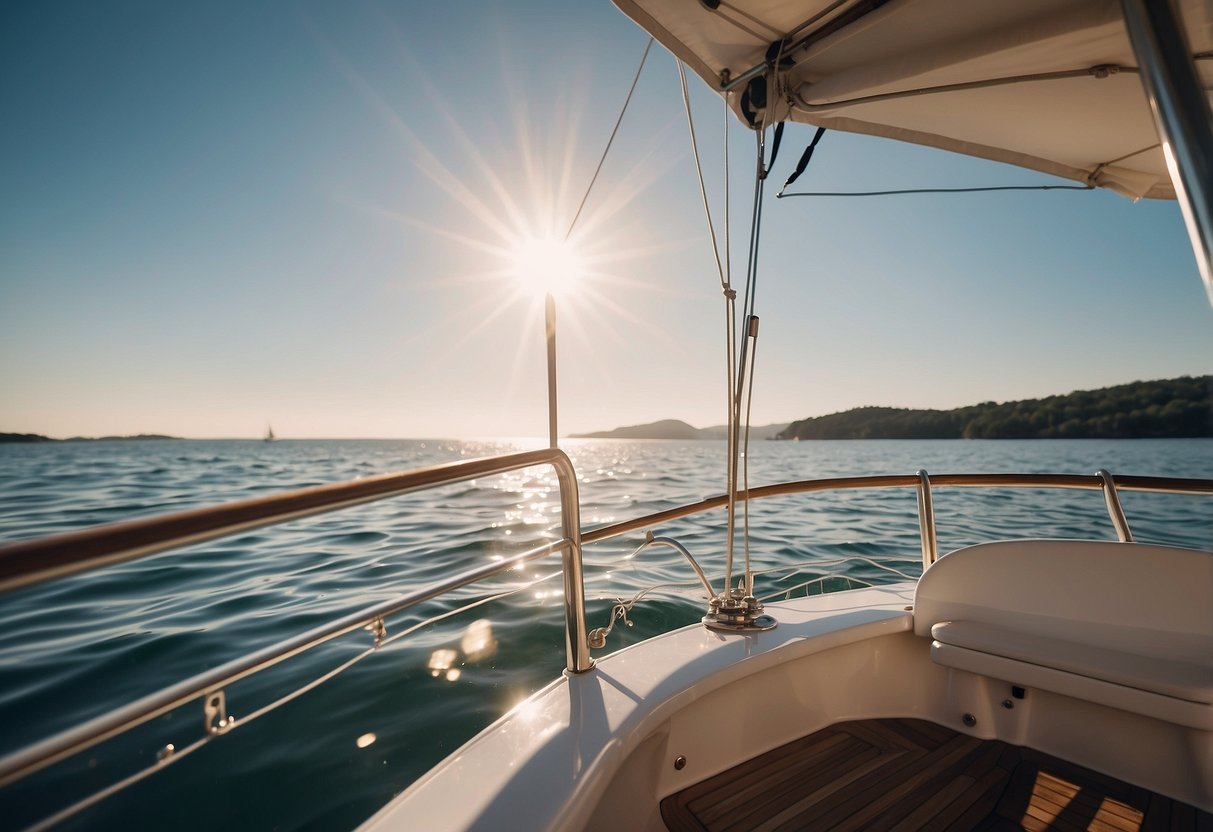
601,750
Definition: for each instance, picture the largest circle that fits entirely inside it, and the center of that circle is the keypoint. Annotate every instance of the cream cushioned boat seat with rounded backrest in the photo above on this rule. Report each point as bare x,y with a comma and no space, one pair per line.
1124,625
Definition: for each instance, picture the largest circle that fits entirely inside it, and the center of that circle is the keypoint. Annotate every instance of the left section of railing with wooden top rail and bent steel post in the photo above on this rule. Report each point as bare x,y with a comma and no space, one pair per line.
38,561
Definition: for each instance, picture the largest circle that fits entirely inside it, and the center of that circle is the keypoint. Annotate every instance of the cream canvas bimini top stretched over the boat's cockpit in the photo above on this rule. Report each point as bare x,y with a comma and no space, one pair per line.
1051,86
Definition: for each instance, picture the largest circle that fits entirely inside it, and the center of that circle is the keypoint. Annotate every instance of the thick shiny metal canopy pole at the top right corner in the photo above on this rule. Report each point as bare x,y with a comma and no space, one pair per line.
1182,116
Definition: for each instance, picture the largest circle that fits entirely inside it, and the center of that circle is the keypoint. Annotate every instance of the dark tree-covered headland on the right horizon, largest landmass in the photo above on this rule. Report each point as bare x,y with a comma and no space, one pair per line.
1174,408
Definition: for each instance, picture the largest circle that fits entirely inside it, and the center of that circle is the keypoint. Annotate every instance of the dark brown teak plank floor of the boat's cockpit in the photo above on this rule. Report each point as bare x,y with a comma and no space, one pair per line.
910,774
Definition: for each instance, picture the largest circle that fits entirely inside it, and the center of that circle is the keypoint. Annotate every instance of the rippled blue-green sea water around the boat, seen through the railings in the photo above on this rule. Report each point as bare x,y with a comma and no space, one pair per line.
329,759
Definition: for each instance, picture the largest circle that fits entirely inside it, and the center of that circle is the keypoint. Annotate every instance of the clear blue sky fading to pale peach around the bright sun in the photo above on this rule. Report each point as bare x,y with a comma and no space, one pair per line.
217,216
